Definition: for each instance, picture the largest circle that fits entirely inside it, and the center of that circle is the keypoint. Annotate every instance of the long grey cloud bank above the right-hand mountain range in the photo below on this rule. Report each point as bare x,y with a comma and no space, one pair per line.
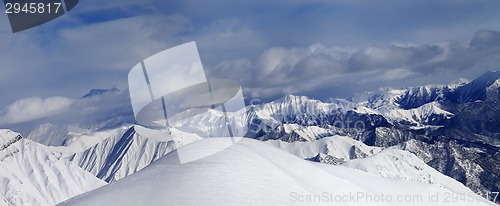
281,70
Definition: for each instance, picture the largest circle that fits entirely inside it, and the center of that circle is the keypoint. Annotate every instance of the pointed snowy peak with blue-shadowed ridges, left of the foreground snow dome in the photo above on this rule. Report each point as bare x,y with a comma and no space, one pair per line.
119,153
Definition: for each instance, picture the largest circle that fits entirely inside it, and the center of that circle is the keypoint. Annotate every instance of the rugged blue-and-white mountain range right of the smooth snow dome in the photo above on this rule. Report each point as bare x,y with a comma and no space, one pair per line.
453,128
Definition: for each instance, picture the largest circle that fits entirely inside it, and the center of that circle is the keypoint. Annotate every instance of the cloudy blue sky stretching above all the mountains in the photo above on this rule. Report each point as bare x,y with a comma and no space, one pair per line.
319,48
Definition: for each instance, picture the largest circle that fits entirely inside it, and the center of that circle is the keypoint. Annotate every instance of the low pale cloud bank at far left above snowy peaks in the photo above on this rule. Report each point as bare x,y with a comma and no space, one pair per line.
109,109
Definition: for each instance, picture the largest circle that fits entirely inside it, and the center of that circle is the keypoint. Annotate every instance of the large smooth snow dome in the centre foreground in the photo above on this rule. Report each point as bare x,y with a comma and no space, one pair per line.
251,173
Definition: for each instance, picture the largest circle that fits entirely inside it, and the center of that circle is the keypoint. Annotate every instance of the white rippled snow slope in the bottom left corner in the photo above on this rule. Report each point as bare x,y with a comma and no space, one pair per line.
32,174
